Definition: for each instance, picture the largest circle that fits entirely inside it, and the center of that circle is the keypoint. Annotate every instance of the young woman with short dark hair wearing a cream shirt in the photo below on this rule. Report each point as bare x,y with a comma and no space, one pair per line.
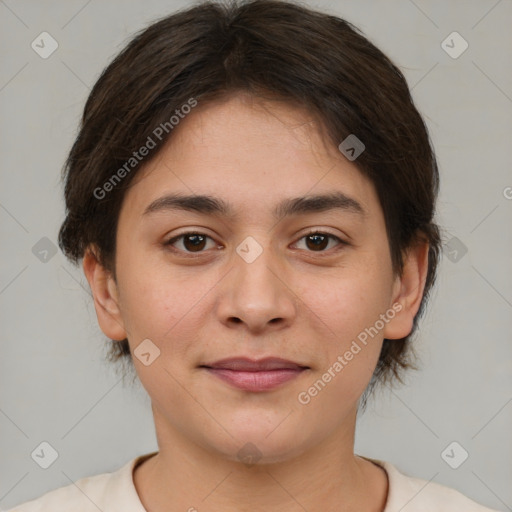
252,195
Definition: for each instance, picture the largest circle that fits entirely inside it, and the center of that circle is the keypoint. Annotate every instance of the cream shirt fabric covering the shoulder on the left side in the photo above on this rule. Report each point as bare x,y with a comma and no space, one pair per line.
109,492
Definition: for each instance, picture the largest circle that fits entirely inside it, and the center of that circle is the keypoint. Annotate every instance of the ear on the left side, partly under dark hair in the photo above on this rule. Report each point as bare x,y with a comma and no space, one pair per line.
105,293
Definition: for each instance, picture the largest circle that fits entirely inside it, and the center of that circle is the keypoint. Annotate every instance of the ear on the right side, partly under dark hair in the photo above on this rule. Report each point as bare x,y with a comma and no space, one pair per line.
408,291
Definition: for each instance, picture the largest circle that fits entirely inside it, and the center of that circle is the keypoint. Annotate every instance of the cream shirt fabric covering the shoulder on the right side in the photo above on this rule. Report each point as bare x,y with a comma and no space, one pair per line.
417,495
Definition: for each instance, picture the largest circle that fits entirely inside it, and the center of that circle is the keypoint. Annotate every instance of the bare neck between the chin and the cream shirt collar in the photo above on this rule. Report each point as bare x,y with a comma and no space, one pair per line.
326,476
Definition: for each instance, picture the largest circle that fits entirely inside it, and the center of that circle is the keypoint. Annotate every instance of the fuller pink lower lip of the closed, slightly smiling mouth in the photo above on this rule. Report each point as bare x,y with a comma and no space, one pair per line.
256,380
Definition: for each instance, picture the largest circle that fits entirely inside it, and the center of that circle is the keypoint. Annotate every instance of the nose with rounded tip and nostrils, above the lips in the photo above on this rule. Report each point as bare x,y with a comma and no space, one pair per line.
256,294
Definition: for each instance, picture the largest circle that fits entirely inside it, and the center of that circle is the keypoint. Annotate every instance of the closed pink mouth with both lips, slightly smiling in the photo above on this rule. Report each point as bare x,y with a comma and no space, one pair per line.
255,375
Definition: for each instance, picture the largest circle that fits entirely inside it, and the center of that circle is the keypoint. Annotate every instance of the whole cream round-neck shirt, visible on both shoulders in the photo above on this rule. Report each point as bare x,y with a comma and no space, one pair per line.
115,492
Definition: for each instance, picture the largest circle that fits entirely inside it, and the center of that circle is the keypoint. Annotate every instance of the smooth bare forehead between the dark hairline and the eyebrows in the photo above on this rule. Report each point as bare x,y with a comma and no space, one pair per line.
252,153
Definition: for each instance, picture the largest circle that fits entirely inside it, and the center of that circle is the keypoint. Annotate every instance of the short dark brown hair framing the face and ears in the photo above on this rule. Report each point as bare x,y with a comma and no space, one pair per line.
264,47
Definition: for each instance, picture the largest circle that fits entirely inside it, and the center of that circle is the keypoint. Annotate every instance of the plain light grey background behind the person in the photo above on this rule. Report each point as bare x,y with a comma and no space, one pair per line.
55,386
